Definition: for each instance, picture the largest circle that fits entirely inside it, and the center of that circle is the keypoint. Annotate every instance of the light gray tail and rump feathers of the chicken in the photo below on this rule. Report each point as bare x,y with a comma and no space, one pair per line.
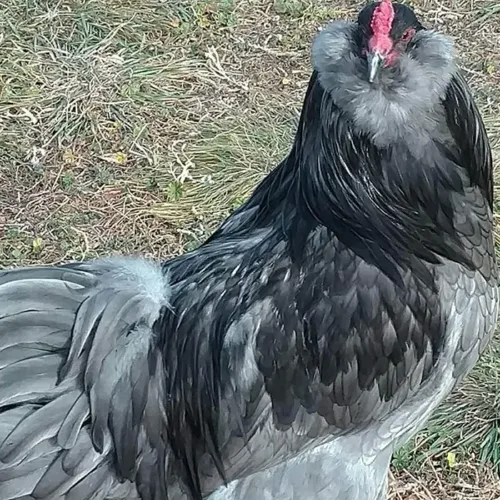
80,382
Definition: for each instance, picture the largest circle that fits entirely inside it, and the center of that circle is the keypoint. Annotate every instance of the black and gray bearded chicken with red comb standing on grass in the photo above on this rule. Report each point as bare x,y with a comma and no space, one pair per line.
308,338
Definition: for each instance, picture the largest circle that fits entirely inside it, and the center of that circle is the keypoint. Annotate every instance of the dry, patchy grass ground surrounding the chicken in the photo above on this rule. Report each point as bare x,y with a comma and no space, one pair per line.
137,125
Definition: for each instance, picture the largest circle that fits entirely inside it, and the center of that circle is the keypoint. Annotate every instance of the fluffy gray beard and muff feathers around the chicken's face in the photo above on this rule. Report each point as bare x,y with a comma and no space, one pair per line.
404,100
